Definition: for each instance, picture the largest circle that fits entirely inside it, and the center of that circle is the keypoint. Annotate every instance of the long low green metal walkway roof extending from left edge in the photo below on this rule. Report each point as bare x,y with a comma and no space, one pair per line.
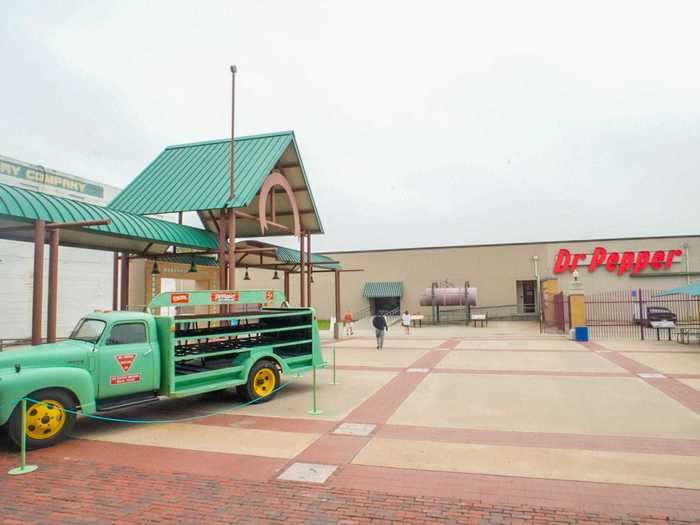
126,232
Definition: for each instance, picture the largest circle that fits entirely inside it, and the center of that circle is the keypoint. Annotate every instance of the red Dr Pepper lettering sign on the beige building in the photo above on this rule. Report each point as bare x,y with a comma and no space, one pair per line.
615,261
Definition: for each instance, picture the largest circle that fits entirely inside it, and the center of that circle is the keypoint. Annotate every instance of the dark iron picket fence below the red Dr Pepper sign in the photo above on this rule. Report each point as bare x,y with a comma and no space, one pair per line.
630,313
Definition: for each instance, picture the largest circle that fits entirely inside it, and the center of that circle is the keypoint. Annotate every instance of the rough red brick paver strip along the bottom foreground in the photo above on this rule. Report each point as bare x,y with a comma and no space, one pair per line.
82,492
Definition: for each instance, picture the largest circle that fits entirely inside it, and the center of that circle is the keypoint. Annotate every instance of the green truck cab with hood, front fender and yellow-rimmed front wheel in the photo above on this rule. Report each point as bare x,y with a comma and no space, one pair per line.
107,356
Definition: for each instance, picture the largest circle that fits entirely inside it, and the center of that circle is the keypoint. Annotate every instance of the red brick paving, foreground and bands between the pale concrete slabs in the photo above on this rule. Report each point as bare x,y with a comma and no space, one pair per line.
93,481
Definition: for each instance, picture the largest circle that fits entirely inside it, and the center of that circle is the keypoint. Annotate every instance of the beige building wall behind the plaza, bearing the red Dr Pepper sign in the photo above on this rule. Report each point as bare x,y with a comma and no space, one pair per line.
494,270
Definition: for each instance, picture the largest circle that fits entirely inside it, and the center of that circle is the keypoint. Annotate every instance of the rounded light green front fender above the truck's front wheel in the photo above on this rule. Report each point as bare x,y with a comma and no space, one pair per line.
15,386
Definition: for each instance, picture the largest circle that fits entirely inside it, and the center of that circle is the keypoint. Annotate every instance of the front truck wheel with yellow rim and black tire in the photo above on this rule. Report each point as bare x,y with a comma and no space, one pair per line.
47,421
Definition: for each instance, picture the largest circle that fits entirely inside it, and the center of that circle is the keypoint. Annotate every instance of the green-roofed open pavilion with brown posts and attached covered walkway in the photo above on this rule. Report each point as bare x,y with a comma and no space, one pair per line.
265,192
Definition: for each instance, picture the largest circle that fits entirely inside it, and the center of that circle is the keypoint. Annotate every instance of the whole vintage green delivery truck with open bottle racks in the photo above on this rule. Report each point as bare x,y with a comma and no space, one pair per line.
114,360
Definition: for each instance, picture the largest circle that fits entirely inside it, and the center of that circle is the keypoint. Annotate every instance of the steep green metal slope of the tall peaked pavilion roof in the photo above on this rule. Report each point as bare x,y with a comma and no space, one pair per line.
192,177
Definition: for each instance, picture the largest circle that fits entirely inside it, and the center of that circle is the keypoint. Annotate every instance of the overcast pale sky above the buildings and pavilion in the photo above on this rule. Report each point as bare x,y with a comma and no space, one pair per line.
419,123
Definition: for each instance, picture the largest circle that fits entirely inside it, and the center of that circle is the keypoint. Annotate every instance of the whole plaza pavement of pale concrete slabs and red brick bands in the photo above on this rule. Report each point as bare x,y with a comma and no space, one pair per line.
497,418
